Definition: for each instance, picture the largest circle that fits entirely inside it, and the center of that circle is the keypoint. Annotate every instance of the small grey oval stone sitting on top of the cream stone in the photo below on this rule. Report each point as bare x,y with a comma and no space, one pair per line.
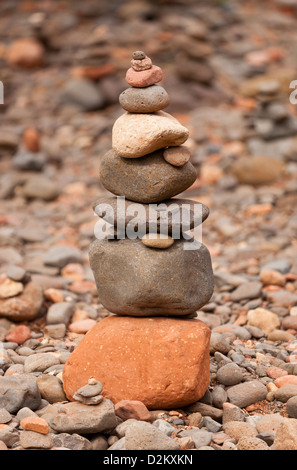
144,100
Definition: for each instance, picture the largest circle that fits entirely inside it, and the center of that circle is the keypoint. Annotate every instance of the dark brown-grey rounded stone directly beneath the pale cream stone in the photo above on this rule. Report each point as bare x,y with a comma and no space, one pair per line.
147,180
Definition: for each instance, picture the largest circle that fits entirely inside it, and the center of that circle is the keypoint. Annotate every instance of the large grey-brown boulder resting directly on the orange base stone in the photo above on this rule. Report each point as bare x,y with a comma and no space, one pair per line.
135,280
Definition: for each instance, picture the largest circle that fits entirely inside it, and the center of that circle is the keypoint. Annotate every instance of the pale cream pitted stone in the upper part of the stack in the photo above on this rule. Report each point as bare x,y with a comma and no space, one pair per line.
135,135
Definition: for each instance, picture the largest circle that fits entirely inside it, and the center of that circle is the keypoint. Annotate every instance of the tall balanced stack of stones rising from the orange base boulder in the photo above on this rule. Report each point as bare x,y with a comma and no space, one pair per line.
150,274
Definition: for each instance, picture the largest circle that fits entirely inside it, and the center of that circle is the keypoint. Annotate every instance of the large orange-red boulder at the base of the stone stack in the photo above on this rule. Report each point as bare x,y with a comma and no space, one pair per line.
162,362
